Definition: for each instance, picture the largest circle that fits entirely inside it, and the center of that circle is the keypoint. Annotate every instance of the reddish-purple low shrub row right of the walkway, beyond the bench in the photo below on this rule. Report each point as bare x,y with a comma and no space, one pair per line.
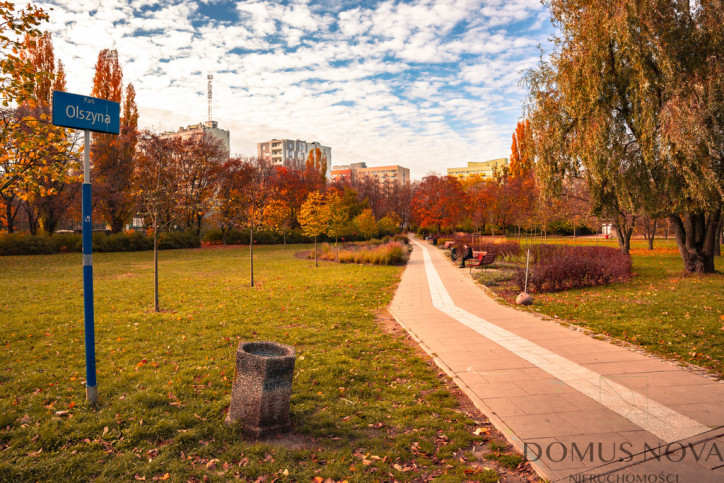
560,267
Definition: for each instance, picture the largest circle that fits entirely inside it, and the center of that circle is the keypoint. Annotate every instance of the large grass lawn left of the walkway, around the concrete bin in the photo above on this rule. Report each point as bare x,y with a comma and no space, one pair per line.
364,406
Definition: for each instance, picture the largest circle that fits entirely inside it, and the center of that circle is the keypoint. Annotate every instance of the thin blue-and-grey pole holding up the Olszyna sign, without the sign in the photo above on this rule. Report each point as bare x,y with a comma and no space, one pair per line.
91,390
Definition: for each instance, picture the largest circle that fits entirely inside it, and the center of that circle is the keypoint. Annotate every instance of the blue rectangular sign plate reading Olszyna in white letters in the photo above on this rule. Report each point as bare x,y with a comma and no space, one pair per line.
84,112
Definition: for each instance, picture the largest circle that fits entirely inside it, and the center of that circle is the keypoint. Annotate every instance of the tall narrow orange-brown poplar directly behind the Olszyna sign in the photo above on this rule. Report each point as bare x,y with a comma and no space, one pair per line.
113,155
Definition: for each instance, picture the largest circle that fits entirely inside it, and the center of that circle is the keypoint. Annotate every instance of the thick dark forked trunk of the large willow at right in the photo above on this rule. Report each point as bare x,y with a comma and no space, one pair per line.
696,238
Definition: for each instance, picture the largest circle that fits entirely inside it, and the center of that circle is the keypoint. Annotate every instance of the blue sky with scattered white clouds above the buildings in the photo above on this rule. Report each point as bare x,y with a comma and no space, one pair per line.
426,84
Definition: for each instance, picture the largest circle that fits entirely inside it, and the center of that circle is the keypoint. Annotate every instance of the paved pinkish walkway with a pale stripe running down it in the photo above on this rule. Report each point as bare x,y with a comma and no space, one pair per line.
581,409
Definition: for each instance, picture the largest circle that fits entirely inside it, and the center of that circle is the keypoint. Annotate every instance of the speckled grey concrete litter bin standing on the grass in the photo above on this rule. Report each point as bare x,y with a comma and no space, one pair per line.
262,388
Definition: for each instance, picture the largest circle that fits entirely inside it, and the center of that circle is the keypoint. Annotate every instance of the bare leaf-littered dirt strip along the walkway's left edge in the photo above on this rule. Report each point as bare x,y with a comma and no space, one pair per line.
494,452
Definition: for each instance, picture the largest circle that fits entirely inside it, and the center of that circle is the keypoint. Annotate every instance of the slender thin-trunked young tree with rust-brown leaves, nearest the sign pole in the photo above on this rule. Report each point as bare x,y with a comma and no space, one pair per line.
156,193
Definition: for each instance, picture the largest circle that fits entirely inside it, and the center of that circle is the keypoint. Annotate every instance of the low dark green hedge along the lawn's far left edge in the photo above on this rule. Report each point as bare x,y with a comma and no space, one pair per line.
25,244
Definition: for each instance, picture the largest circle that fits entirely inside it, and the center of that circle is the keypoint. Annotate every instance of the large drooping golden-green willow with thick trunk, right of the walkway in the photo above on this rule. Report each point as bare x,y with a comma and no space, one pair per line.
631,102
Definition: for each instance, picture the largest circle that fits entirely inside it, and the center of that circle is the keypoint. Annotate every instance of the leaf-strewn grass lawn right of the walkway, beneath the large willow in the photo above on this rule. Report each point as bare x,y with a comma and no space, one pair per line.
662,309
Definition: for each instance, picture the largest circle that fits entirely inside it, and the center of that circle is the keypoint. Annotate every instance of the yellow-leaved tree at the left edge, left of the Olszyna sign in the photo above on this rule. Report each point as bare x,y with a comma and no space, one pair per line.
30,146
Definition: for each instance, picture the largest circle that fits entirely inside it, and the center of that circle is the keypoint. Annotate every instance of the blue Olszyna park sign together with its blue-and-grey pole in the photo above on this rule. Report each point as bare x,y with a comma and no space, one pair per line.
98,115
